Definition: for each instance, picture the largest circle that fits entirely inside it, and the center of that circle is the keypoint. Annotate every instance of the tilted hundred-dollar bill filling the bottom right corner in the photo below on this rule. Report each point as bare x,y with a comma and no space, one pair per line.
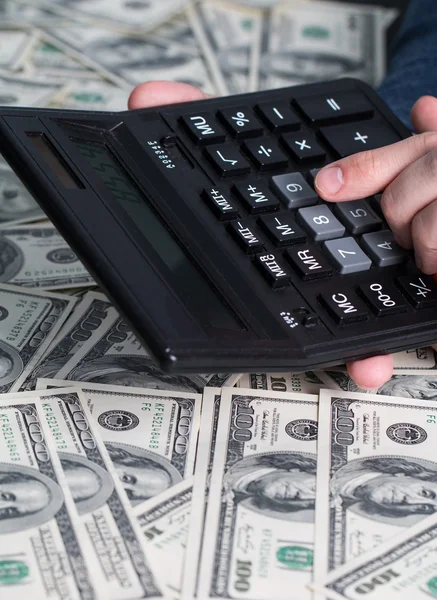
404,568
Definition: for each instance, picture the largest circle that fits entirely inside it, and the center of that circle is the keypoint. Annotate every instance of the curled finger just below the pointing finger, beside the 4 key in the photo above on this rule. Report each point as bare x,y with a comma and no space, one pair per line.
411,192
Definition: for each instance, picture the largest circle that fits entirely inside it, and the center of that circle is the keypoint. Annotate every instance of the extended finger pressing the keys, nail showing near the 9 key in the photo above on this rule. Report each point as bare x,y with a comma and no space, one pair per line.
367,173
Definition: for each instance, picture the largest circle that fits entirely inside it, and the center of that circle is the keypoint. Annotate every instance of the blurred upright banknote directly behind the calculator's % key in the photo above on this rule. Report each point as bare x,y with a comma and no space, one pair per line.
229,36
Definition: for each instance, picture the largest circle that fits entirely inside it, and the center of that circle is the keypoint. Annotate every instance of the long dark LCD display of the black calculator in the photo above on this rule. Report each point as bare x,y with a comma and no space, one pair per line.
193,288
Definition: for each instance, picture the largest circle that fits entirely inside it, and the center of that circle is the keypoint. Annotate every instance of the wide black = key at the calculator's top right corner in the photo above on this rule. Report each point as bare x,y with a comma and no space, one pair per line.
331,107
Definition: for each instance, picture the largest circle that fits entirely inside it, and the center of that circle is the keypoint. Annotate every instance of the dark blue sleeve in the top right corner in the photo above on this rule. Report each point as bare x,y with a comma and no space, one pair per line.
412,68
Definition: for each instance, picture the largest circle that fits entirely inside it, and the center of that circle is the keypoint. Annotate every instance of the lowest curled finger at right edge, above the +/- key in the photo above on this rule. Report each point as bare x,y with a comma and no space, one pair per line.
424,236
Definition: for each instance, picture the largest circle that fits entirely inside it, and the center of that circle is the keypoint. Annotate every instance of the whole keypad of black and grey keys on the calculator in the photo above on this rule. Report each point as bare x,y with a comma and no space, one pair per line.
268,163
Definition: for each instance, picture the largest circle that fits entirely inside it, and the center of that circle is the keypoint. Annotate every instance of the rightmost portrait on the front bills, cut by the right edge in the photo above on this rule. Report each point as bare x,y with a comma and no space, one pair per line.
395,489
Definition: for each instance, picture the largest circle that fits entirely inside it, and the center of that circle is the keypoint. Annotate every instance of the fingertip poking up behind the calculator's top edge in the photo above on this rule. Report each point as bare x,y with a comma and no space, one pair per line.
159,93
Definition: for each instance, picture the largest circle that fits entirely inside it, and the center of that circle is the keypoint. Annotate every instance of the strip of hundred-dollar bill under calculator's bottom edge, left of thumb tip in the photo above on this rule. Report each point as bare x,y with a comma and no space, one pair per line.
306,383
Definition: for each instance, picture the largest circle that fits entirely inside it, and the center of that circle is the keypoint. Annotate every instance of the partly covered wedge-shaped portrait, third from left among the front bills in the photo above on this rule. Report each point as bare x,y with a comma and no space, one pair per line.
142,473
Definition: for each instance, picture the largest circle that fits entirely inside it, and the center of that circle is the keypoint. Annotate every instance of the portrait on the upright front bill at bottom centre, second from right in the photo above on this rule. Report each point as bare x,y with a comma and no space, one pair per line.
279,484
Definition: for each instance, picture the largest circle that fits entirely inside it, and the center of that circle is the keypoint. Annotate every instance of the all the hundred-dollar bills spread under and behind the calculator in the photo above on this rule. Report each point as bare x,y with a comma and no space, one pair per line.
118,481
